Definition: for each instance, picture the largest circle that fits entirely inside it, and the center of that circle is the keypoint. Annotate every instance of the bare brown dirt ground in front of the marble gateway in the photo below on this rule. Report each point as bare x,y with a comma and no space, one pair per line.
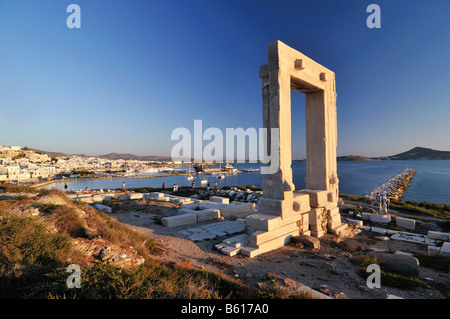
328,270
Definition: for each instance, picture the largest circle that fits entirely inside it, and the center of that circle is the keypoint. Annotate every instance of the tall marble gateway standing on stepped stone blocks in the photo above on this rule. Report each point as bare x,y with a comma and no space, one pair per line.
282,211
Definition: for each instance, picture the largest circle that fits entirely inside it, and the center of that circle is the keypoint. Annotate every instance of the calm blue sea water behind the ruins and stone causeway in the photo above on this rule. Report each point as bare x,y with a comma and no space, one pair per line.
431,183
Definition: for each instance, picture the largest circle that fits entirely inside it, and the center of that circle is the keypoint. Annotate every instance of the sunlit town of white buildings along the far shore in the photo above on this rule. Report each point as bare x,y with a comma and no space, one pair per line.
24,166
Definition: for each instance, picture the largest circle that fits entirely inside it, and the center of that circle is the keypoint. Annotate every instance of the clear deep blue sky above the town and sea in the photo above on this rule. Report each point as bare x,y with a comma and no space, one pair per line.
136,70
